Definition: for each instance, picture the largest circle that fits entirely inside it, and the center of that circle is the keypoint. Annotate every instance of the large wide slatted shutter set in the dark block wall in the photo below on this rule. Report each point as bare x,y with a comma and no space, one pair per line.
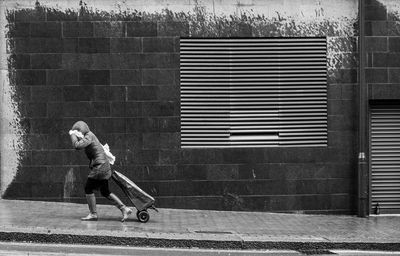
253,92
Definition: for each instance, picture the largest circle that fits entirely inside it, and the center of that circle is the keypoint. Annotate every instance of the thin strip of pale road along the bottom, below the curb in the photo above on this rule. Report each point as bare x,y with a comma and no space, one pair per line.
30,249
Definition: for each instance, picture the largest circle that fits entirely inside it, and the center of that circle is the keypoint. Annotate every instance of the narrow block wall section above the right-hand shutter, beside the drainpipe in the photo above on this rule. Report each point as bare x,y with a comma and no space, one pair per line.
383,50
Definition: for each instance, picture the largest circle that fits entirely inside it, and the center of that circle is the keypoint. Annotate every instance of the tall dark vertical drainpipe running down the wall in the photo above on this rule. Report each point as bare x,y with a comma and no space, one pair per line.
362,177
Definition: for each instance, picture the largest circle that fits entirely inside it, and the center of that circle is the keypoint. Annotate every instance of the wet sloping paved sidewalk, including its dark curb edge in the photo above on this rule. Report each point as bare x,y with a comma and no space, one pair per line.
51,222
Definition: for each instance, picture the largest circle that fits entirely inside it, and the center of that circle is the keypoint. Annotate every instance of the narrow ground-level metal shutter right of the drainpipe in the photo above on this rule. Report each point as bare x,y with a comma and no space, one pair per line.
385,159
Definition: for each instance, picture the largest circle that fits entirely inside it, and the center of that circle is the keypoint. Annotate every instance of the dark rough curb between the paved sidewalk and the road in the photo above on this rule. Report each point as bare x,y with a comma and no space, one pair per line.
190,243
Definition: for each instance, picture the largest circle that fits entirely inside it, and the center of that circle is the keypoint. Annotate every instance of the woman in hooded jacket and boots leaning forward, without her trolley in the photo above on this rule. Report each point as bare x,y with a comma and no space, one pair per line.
100,170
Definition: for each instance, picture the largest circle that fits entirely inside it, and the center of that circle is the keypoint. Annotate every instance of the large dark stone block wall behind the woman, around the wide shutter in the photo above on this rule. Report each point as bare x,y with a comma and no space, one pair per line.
119,72
